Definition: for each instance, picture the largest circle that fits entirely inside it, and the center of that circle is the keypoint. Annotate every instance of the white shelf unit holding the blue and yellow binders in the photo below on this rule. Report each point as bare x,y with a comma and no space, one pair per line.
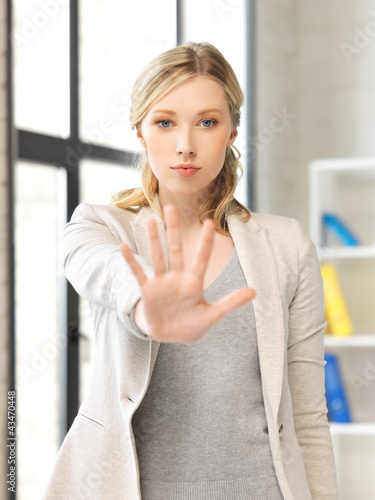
346,188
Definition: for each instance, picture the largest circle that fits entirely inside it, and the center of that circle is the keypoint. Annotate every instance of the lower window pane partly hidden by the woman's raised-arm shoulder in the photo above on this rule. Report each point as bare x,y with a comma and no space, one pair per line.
97,181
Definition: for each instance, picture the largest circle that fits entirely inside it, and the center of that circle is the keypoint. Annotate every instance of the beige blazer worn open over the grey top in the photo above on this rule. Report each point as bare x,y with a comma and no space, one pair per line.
97,460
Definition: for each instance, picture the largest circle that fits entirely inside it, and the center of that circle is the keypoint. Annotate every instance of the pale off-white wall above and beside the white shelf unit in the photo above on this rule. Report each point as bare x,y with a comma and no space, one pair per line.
302,66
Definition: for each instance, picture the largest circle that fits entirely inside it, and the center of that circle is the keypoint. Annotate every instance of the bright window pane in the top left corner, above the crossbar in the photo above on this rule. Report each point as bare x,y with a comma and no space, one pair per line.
41,66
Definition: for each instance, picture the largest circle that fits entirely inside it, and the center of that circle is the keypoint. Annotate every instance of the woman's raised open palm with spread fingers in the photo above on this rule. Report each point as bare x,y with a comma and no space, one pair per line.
172,307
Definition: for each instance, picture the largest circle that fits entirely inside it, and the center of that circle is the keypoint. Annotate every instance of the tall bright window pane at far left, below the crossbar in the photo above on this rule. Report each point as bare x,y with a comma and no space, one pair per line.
39,342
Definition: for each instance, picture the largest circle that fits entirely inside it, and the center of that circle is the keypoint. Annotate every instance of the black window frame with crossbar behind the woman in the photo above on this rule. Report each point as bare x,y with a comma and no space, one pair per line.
52,151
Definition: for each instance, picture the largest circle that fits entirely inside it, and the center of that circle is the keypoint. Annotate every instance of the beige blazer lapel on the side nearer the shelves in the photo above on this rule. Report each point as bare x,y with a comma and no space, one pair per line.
258,264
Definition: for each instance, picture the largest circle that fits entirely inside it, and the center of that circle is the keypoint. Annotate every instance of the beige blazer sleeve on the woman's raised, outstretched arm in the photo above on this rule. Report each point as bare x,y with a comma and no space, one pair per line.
93,263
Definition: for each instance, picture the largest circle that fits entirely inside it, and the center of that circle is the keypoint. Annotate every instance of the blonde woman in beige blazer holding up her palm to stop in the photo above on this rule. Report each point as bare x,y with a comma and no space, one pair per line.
209,376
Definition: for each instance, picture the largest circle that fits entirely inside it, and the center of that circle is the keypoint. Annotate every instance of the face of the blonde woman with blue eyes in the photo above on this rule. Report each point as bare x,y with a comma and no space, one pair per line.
189,125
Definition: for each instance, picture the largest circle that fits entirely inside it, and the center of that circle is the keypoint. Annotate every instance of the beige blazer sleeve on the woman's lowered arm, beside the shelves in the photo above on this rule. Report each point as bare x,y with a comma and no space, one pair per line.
306,372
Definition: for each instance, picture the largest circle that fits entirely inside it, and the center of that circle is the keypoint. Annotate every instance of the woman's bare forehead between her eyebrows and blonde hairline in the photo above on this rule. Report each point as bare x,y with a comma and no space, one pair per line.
195,94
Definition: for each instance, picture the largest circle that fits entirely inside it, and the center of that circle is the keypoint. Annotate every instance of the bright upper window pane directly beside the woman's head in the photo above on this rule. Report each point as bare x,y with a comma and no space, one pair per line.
117,39
